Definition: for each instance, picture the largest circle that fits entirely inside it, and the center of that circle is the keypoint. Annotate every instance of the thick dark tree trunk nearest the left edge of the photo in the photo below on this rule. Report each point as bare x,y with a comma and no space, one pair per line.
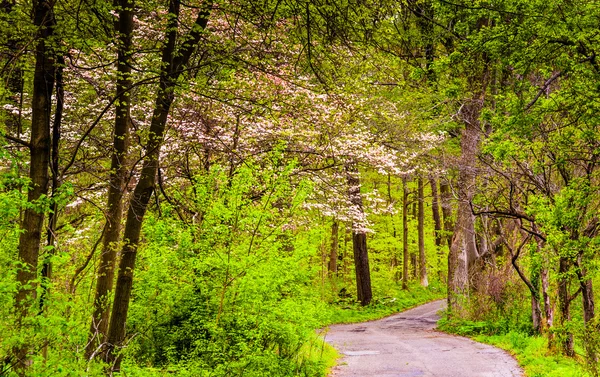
39,152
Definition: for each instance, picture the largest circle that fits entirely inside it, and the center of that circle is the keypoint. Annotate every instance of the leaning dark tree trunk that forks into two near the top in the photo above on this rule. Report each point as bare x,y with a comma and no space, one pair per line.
173,62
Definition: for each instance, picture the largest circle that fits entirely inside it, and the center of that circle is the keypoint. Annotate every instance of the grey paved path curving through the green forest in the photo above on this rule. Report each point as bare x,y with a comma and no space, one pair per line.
407,345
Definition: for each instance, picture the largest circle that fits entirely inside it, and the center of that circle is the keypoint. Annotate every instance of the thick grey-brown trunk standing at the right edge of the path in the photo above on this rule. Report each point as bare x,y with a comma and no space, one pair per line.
463,252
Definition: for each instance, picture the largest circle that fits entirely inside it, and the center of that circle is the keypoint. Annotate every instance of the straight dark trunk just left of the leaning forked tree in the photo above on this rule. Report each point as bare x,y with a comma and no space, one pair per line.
117,182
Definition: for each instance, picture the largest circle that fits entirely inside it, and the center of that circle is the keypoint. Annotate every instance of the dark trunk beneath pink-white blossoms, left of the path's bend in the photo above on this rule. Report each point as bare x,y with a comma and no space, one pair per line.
359,238
